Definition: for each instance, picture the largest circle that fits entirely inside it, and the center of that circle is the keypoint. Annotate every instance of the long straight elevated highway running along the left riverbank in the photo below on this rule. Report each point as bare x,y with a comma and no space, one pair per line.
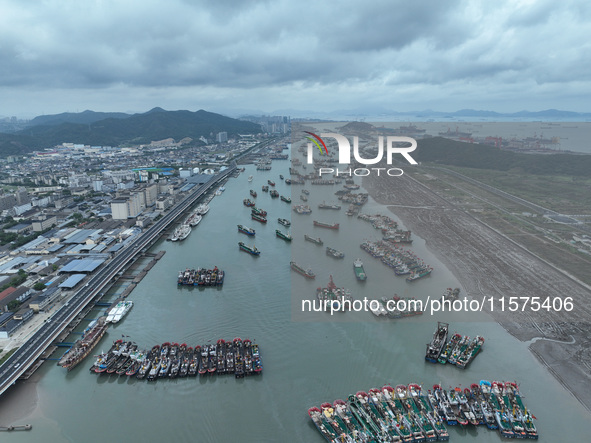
30,351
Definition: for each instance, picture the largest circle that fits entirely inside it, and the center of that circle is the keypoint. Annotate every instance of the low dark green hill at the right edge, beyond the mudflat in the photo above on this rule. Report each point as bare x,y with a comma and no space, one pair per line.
467,155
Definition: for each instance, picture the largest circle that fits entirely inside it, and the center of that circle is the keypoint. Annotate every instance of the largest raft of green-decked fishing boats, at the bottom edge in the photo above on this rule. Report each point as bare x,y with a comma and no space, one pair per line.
407,414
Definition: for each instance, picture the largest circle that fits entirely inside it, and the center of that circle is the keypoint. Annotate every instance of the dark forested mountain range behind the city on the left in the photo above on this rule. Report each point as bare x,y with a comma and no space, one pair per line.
114,129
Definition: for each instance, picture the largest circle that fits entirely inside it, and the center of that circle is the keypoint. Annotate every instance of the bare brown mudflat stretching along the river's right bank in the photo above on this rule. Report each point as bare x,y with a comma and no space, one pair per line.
490,264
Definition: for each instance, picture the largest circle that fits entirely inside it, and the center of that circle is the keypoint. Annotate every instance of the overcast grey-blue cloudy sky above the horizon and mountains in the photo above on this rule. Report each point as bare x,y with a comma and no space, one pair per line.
268,56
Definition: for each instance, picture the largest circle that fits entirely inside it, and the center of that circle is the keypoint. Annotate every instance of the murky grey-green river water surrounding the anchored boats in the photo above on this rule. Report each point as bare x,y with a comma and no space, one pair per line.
308,358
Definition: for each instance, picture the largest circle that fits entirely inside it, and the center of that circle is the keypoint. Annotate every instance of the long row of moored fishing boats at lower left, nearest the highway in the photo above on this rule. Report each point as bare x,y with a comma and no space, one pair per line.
171,360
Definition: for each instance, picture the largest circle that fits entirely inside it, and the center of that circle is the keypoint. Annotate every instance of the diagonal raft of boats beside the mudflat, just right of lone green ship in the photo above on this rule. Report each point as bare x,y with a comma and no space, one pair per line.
402,261
